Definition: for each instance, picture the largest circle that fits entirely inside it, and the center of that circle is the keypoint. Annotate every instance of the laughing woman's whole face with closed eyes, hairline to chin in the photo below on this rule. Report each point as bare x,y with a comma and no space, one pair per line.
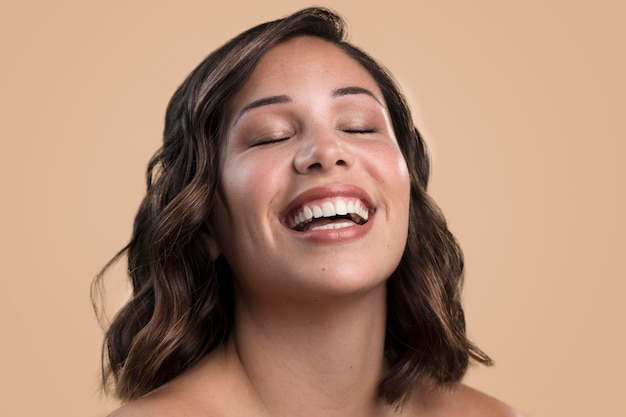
314,195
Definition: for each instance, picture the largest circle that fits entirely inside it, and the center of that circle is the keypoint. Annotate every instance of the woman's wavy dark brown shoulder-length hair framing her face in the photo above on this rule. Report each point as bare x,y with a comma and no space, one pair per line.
182,302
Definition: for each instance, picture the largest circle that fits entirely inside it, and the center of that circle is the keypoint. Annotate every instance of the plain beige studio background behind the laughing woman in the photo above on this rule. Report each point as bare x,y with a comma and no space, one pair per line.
522,102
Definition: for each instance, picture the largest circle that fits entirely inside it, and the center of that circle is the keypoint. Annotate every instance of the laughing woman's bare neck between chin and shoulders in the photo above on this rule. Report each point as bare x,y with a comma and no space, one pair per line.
312,358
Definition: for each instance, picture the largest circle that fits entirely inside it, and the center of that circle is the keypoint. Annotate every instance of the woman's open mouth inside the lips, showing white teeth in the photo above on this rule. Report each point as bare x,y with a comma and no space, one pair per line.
335,213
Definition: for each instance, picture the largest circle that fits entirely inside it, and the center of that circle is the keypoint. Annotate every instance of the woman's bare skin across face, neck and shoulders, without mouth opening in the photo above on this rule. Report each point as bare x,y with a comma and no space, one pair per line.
309,331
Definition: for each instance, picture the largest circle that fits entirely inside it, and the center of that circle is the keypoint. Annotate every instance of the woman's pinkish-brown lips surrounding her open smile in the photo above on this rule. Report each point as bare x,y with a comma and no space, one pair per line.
325,192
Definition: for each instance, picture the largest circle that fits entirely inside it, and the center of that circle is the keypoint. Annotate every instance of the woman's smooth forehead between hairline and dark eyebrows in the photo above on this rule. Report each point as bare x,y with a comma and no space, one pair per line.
301,65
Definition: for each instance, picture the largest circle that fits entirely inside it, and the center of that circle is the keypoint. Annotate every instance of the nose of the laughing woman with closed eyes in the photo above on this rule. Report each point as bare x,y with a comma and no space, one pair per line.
322,151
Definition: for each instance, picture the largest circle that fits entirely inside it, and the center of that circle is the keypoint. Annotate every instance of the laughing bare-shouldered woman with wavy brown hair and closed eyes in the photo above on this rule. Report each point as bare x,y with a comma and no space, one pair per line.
286,260
